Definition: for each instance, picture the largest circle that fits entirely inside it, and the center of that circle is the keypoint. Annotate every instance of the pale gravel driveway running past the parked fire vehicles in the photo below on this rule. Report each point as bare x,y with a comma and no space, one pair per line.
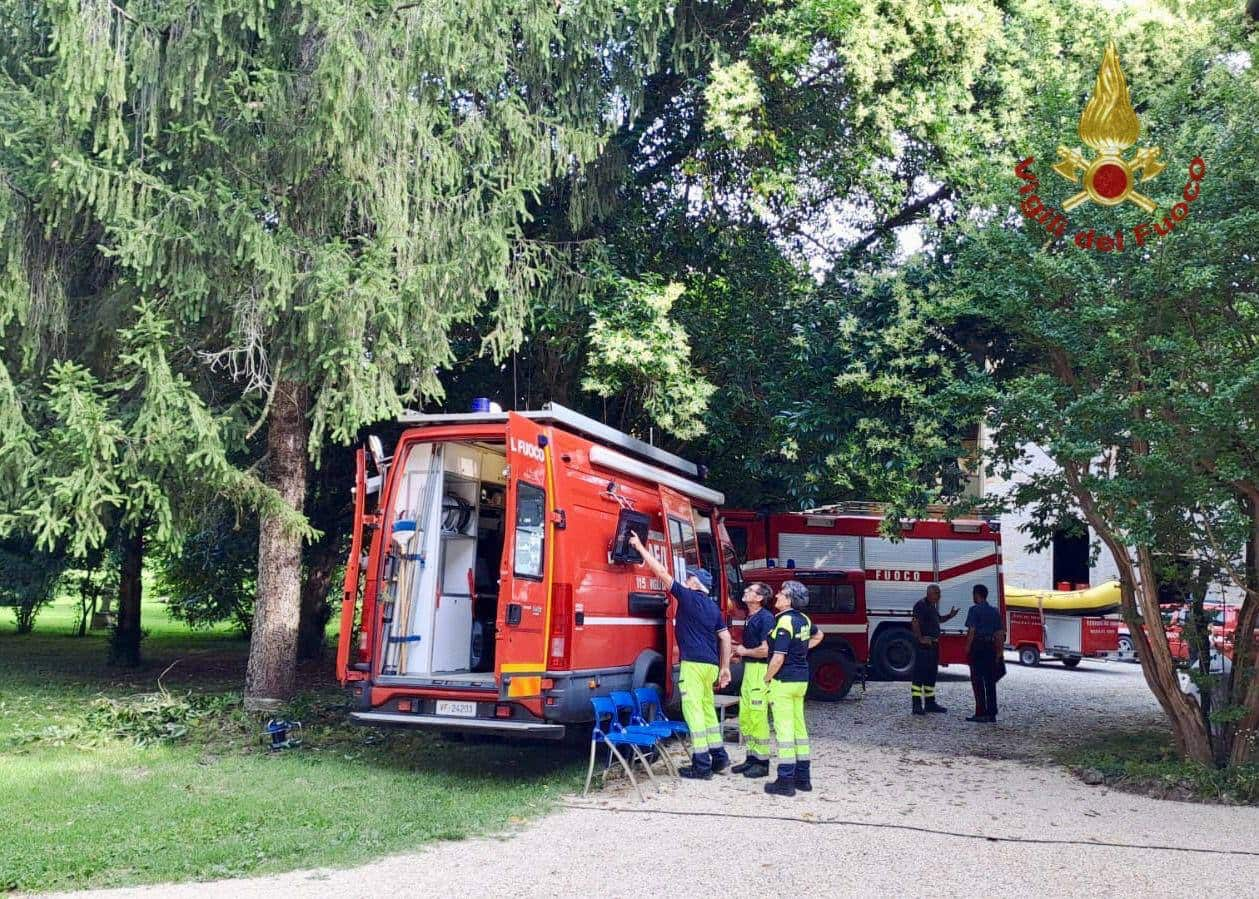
902,806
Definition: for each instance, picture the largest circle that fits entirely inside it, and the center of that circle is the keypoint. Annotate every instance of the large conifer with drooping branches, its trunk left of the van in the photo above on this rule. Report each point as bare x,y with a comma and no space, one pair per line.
305,196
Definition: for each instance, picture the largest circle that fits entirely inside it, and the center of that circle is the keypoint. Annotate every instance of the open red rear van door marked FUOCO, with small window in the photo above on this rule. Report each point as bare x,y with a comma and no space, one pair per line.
527,572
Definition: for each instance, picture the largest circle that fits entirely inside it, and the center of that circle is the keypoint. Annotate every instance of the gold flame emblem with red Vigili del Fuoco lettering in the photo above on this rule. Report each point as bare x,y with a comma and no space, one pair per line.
1110,178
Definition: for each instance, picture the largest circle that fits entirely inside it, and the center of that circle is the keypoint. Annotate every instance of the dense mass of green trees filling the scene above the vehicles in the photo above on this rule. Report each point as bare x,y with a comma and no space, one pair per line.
781,237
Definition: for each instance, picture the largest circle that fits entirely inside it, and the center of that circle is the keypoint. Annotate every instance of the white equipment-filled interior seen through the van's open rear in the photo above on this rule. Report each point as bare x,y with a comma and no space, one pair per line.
449,534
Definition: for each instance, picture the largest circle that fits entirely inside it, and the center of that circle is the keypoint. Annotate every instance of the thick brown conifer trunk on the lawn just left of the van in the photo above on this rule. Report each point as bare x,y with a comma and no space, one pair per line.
274,643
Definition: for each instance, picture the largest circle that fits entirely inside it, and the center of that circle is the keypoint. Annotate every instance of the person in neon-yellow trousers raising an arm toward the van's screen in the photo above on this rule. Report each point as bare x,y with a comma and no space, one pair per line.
704,644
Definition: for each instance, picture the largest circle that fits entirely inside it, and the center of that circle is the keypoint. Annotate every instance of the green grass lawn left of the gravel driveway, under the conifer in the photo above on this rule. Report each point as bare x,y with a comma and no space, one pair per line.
85,806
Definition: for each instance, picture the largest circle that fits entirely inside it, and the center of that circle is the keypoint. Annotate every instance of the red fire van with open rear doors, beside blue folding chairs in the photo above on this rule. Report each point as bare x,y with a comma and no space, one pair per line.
490,586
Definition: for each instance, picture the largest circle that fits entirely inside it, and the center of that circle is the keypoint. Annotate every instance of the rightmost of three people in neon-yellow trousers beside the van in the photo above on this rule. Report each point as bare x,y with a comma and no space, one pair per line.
788,678
